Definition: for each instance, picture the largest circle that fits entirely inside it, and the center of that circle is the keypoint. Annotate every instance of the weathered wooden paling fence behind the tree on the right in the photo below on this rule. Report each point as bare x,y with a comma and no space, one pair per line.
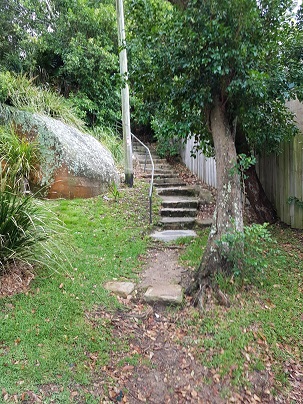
281,176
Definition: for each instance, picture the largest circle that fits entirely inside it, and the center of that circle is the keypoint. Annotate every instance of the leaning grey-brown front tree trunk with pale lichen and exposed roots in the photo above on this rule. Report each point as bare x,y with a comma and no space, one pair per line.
228,216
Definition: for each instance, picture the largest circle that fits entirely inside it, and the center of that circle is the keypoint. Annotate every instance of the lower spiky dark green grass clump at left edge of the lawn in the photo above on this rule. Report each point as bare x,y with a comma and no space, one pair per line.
27,233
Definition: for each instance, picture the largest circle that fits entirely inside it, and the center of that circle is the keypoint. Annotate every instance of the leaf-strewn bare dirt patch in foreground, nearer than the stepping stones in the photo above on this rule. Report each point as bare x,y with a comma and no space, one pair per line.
162,365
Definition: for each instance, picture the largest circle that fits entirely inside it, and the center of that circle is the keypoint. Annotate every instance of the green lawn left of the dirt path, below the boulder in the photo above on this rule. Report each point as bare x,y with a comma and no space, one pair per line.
44,334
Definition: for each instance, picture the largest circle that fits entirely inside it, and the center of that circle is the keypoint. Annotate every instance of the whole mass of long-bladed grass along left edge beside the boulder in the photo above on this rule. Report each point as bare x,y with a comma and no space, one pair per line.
25,235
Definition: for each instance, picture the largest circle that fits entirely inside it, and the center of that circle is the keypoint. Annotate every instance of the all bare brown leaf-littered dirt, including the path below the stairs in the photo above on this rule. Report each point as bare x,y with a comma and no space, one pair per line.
157,359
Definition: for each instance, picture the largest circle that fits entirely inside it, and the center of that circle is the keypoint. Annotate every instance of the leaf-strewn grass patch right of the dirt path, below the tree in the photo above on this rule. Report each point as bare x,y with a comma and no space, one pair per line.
265,316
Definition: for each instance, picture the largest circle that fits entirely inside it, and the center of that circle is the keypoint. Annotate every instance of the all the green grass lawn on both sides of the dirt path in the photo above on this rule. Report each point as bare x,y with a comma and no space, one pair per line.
48,342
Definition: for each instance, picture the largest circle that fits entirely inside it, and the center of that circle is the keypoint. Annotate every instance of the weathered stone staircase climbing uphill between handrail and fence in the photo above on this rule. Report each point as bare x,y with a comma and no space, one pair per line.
180,201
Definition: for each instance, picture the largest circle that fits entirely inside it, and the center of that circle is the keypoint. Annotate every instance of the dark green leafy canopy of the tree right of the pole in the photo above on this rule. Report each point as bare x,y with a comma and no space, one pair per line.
186,56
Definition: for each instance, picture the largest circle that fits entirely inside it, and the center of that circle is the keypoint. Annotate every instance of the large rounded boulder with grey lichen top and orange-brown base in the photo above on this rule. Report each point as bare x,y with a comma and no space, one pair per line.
74,164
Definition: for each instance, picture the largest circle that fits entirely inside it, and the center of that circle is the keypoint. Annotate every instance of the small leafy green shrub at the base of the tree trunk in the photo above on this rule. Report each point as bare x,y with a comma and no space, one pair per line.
244,250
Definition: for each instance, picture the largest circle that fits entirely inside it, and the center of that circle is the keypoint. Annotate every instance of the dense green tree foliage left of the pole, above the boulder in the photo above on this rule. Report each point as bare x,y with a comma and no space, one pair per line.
70,47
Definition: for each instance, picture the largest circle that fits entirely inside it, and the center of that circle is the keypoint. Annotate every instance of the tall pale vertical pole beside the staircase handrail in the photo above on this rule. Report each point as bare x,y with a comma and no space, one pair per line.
128,162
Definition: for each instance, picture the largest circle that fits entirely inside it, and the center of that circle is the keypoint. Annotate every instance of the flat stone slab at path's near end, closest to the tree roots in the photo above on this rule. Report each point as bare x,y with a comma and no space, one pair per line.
169,294
